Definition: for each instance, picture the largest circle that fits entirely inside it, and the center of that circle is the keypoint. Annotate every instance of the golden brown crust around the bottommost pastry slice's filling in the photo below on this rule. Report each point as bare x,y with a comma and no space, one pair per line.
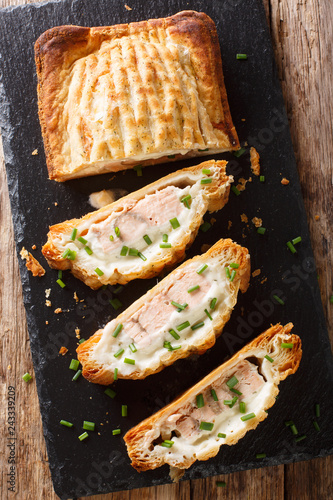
286,362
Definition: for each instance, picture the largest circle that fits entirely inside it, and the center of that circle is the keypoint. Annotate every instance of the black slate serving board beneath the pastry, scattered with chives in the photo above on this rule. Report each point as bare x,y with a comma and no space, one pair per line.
100,464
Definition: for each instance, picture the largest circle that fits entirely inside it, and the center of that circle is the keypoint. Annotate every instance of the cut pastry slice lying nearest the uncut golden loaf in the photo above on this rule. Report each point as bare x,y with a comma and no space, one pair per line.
140,234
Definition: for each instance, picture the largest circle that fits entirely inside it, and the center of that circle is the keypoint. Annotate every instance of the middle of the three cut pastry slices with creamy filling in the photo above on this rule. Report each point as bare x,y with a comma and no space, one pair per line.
182,315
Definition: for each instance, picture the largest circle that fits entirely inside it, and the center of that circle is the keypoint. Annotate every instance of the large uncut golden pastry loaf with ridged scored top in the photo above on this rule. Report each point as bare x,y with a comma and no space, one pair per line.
114,97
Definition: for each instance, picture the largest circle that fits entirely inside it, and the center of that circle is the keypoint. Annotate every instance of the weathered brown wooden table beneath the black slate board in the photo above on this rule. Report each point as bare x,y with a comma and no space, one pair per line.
301,33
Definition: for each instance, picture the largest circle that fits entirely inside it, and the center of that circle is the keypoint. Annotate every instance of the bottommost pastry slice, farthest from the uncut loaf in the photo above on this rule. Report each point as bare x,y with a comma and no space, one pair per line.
220,409
